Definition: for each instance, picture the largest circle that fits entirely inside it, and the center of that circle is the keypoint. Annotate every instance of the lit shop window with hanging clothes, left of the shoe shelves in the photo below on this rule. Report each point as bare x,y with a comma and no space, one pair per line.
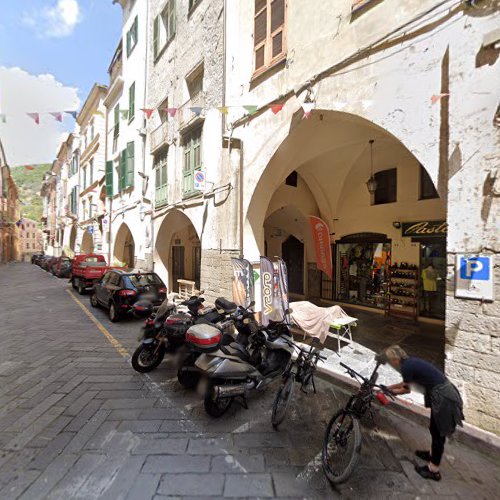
362,272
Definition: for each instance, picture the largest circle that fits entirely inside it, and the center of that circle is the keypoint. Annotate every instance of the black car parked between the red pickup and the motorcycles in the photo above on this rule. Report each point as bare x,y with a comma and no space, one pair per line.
118,291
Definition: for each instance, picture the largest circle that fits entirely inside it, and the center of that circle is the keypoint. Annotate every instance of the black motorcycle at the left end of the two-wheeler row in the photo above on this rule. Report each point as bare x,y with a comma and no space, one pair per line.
165,328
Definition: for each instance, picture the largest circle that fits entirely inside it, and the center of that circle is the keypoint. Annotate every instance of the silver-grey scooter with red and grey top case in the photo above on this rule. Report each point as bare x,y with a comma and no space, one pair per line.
232,370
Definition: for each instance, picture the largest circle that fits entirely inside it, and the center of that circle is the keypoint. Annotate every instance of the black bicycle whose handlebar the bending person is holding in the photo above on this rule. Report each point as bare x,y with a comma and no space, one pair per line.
342,441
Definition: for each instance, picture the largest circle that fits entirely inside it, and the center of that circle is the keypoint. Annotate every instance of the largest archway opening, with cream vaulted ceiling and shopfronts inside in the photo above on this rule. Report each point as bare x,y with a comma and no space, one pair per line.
322,169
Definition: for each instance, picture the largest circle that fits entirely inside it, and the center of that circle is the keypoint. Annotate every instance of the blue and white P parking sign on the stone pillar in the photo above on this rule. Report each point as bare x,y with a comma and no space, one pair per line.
474,276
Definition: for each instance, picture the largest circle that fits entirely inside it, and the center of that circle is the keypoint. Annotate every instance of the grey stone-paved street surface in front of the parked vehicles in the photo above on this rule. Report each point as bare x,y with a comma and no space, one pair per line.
77,422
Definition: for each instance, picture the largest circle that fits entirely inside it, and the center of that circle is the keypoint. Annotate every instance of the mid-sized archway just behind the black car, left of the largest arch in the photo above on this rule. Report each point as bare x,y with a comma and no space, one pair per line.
178,247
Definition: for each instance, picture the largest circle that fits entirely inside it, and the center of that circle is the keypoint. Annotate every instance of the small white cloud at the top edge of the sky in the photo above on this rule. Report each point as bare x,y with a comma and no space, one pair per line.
55,21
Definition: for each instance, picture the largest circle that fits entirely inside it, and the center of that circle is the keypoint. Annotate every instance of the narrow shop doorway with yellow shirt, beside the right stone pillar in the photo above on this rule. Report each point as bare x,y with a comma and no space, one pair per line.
432,301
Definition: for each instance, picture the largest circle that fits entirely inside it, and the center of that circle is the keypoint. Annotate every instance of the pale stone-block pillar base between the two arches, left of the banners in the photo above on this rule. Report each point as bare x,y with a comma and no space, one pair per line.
217,273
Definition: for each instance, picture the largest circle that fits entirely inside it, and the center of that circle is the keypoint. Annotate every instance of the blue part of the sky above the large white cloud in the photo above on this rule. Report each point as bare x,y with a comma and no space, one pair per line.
77,57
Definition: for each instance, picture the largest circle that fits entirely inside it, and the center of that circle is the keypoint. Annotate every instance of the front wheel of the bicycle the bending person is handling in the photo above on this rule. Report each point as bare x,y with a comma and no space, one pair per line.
341,447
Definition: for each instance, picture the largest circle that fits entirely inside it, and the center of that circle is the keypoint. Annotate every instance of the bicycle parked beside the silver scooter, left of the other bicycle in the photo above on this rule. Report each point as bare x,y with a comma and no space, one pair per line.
300,370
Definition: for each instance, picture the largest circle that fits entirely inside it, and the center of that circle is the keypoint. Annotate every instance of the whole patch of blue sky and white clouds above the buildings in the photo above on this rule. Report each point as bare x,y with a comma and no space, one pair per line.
51,53
